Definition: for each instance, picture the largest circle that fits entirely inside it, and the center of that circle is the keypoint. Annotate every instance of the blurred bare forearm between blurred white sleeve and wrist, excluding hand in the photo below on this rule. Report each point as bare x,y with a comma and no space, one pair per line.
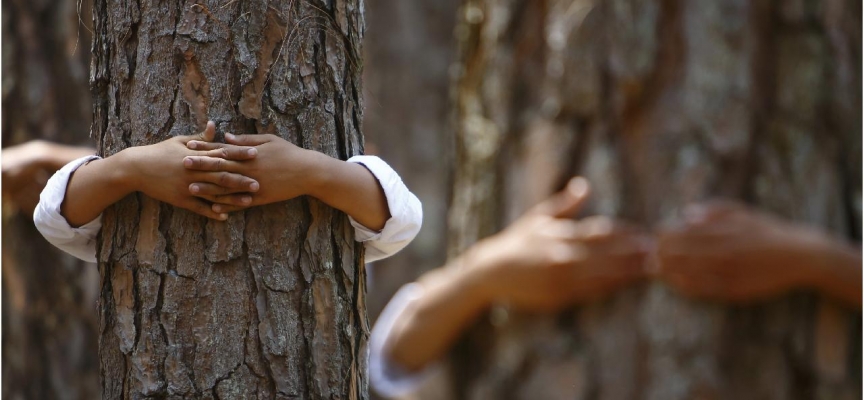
429,326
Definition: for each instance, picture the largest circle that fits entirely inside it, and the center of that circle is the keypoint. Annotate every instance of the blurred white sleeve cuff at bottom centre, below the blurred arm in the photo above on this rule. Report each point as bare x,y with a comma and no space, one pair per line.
386,377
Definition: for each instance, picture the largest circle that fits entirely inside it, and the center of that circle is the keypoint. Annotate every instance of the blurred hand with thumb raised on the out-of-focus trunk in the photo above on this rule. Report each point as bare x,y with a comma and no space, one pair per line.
545,261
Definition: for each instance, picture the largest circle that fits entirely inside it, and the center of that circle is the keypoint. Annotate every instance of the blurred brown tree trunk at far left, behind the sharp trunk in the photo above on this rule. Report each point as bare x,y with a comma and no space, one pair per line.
49,298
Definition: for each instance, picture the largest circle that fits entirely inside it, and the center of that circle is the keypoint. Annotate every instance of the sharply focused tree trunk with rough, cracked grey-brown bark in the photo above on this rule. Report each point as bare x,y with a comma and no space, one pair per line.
269,304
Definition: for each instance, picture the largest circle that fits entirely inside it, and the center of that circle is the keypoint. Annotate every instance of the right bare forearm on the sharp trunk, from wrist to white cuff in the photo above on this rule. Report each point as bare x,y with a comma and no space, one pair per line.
353,189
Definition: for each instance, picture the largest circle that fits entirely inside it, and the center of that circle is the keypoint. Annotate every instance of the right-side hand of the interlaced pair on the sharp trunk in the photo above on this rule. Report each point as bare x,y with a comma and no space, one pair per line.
283,170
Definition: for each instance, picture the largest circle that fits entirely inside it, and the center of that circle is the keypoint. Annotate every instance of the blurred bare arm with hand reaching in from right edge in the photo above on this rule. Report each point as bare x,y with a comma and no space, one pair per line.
730,252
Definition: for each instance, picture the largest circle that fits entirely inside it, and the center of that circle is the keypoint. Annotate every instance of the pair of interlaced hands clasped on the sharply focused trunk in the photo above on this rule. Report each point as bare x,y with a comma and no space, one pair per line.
214,179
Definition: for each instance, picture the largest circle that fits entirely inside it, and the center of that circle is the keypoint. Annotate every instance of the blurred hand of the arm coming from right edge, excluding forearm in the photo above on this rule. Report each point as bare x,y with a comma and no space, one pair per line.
727,251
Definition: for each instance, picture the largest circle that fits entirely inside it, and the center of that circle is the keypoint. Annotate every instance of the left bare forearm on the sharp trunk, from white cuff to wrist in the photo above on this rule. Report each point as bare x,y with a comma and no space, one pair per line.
94,187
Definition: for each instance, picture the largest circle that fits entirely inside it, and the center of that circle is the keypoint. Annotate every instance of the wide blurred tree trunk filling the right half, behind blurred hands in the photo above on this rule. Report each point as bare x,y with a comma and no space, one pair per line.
660,103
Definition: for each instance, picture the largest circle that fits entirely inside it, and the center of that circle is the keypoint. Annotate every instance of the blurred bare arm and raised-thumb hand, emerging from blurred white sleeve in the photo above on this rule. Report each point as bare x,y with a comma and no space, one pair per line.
542,263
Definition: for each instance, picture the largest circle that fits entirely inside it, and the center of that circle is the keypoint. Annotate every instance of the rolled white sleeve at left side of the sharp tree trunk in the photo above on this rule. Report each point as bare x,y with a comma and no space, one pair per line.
79,242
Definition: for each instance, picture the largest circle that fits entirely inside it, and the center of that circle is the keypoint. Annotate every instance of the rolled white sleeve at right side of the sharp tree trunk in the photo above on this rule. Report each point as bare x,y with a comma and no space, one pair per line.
406,213
